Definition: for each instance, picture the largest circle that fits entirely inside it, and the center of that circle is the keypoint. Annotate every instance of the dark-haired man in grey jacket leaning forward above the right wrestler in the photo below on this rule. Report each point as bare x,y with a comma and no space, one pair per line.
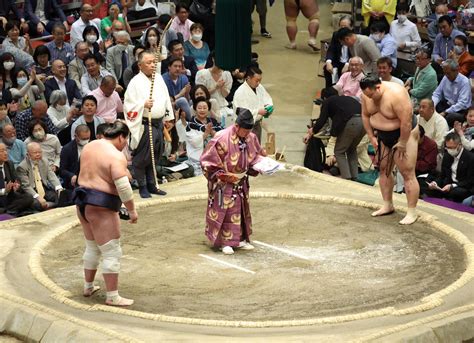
360,46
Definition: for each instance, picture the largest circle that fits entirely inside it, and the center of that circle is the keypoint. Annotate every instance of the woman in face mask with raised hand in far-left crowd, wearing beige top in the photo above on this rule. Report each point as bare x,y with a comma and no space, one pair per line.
26,91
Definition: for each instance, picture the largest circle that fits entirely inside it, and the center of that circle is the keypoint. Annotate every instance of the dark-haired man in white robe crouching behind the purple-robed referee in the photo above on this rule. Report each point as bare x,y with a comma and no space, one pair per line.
254,97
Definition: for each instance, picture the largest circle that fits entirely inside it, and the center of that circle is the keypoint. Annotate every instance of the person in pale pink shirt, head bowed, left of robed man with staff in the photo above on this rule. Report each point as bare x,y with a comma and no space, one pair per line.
109,105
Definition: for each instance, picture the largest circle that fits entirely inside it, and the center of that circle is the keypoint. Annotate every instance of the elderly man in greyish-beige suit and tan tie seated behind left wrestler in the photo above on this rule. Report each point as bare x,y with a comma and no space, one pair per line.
38,180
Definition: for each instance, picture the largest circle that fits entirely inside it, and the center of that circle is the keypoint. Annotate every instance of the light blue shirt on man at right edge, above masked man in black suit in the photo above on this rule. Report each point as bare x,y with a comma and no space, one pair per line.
456,93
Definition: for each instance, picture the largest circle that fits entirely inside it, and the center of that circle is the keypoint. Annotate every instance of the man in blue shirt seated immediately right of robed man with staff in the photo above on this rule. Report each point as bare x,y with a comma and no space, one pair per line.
178,86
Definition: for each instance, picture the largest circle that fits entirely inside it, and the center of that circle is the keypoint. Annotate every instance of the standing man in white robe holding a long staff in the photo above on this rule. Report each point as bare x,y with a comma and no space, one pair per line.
136,105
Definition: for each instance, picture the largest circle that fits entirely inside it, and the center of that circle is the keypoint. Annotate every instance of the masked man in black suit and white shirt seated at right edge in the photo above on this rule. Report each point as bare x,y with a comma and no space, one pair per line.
455,182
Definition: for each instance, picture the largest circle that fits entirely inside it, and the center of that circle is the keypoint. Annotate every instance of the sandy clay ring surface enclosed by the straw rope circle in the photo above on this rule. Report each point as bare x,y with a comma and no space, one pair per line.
336,261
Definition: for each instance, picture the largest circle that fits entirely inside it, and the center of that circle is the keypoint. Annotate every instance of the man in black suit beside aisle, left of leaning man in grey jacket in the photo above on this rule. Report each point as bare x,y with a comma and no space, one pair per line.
337,55
